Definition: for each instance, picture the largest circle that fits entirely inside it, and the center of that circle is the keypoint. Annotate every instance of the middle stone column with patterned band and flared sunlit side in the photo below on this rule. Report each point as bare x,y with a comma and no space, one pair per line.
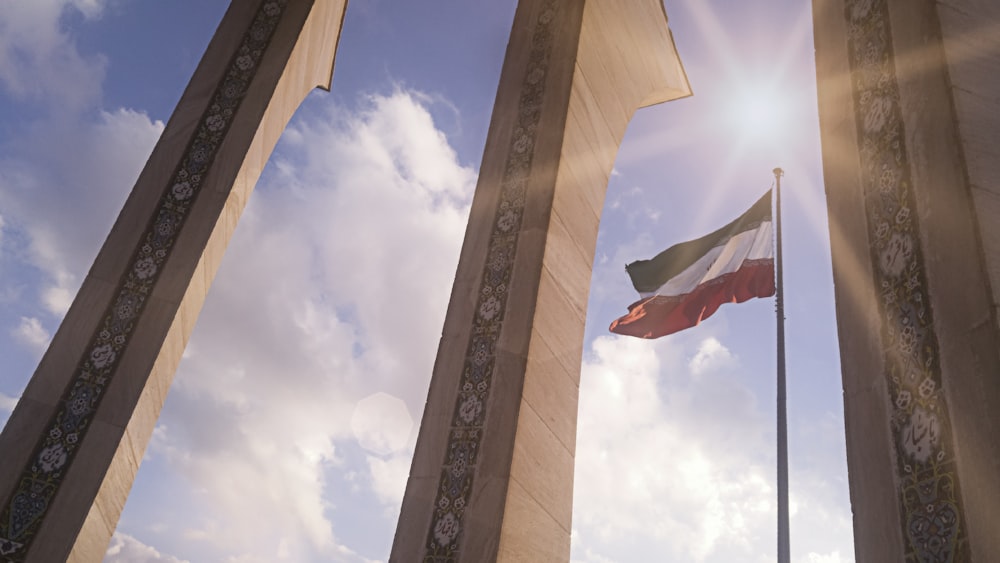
492,475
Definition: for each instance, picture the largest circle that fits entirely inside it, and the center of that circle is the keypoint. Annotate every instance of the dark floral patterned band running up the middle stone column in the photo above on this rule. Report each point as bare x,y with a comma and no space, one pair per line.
468,422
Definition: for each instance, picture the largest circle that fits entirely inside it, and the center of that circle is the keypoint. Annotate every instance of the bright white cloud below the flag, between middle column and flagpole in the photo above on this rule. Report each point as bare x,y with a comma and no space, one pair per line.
641,478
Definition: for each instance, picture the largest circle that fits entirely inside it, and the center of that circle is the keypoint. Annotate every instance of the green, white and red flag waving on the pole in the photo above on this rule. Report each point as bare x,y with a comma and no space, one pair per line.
688,282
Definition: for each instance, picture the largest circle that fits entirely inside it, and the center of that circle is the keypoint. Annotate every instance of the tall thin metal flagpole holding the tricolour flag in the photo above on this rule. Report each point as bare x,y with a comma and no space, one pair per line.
784,551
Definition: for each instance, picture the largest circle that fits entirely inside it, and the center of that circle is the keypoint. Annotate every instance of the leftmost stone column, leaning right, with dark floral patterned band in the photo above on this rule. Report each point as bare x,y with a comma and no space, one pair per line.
73,444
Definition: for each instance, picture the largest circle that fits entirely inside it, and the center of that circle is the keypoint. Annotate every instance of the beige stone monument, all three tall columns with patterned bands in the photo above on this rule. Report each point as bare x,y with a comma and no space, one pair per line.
908,101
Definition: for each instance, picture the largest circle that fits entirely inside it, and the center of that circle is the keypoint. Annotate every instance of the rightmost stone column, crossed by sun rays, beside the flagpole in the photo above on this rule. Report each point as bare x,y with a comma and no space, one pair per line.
908,99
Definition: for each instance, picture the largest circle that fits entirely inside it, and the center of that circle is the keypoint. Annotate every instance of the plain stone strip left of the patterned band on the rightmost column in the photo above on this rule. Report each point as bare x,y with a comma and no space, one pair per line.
870,459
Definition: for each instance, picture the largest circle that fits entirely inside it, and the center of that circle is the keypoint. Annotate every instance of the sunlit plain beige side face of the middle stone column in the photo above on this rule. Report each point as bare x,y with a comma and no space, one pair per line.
623,63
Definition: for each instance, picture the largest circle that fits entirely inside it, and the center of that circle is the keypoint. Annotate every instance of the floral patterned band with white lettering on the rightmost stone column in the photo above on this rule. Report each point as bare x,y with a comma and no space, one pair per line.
933,522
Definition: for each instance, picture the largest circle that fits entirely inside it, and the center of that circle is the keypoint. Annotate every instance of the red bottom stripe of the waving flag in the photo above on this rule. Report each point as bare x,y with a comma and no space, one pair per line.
661,315
